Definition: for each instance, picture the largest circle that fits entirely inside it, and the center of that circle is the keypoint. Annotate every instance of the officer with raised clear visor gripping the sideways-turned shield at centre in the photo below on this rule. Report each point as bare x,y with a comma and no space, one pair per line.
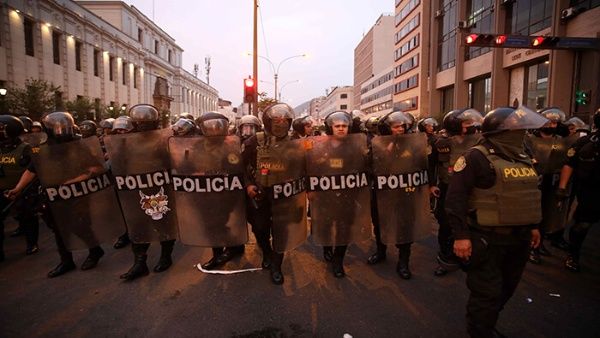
277,120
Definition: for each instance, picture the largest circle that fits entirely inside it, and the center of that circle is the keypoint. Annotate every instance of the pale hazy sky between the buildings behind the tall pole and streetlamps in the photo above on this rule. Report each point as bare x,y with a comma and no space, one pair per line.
326,30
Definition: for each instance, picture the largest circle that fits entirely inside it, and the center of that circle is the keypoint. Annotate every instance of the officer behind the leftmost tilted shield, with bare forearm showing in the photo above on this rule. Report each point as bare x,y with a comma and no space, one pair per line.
60,129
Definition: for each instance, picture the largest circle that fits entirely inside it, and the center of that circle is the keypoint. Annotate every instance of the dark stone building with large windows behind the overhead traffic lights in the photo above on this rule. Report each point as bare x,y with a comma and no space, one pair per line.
484,78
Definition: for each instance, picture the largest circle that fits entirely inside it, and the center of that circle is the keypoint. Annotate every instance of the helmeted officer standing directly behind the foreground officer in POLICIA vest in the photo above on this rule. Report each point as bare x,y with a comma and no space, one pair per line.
461,126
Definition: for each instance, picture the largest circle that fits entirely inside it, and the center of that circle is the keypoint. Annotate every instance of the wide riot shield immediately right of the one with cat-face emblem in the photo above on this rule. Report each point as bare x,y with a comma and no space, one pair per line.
207,174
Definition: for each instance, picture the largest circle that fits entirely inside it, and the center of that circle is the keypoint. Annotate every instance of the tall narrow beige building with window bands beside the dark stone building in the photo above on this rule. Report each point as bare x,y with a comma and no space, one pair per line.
411,56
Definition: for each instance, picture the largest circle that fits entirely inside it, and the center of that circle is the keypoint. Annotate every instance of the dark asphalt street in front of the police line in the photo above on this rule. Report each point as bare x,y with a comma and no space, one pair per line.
372,301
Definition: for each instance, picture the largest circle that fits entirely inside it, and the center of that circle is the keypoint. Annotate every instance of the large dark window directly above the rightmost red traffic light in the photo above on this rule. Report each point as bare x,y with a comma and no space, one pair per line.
526,17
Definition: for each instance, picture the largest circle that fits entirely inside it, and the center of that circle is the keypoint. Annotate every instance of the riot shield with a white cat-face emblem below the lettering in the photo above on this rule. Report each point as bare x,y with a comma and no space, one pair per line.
140,163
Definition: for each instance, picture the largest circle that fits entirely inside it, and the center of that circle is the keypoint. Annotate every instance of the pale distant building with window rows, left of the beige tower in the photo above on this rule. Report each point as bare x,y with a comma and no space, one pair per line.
376,93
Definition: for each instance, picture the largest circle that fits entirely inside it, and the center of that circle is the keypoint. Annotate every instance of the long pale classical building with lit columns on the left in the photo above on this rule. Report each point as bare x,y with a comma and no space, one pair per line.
105,50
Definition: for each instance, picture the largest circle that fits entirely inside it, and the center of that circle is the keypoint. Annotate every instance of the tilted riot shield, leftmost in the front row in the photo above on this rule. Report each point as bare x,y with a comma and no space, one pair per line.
80,193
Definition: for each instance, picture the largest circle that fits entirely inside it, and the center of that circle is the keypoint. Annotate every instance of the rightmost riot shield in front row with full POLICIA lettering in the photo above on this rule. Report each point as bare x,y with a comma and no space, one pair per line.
402,187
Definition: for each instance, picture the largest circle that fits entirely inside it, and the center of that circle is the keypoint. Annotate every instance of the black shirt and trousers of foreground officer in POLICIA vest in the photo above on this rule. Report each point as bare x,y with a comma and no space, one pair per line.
499,254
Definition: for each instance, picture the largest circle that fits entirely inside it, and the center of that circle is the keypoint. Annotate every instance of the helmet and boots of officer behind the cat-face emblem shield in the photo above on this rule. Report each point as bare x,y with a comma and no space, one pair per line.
145,117
